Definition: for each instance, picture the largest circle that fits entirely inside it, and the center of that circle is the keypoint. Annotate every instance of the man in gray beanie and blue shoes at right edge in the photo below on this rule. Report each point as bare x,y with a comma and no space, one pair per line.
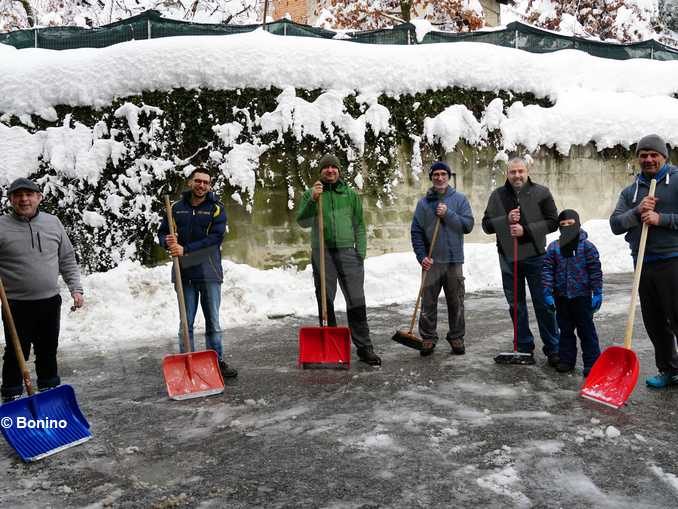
659,279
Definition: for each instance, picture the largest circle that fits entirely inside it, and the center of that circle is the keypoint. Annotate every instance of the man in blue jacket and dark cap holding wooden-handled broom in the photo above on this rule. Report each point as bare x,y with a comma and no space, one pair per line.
442,203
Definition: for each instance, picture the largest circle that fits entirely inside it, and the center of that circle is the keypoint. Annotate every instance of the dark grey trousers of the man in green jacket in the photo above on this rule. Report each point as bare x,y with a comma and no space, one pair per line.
346,267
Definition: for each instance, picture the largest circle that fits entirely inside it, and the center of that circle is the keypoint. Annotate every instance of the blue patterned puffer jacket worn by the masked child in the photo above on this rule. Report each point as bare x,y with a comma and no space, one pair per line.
577,276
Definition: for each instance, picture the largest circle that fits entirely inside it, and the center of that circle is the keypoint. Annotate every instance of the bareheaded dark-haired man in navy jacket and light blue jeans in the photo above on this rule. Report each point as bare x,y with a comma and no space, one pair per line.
200,221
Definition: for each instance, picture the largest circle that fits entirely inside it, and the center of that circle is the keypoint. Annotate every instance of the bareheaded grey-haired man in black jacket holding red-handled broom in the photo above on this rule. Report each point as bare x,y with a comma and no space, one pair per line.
525,211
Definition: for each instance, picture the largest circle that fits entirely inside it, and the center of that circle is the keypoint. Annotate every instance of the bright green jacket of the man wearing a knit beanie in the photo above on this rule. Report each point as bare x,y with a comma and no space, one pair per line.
343,221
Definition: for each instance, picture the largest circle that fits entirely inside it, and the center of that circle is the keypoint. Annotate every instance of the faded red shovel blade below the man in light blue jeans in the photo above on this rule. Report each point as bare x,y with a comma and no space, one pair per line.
192,375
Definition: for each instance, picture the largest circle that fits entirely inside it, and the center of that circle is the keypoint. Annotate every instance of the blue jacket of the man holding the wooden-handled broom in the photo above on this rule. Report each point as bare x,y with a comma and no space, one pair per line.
449,247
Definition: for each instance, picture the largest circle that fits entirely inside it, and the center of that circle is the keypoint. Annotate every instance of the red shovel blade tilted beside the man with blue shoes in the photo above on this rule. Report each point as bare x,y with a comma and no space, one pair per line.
613,377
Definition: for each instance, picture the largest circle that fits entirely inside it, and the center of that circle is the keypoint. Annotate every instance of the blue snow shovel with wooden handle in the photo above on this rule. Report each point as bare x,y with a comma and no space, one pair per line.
41,424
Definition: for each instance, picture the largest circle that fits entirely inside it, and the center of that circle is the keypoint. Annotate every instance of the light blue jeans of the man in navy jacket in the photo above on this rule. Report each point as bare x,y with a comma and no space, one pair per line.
209,294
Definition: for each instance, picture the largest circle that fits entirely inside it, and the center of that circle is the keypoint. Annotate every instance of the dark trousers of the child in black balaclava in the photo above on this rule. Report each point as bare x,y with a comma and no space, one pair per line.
576,315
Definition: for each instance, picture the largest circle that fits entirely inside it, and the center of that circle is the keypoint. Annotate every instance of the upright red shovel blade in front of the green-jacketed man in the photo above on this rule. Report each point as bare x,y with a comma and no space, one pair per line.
324,347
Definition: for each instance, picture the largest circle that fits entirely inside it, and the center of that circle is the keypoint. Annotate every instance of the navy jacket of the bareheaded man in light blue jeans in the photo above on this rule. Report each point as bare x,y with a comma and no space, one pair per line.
200,231
